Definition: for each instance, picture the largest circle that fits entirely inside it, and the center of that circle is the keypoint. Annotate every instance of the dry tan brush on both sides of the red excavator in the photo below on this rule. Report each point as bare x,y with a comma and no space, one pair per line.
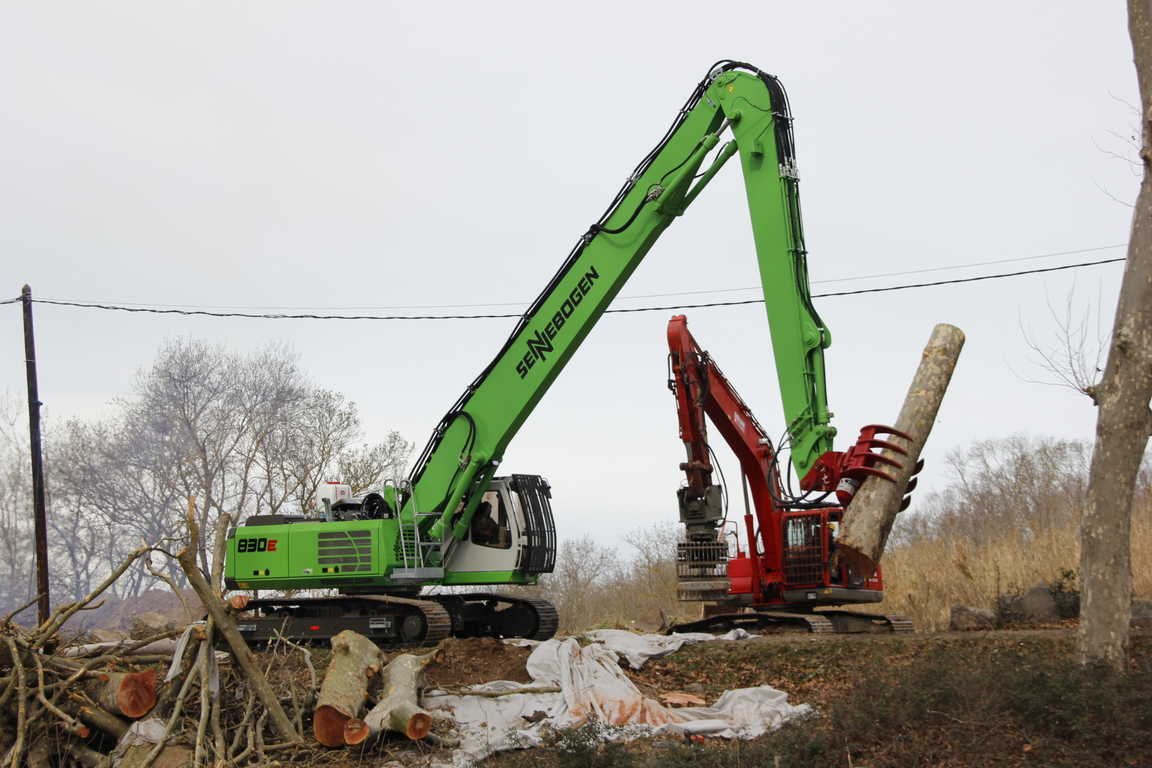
1007,520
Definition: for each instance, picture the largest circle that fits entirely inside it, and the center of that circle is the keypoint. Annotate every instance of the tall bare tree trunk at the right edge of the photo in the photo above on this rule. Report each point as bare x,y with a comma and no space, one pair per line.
1124,421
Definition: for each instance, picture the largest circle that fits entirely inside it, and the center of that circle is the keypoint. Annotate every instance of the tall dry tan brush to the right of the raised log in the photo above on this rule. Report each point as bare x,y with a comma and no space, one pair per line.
1009,521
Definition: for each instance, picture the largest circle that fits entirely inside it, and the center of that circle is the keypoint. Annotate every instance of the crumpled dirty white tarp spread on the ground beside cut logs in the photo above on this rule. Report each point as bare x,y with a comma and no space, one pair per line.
595,689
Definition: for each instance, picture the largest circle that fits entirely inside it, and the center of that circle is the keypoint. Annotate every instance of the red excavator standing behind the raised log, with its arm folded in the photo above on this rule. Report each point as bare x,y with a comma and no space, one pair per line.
784,571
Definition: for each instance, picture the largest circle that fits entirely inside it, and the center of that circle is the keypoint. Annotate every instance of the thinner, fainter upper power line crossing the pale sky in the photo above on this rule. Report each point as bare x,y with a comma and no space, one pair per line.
240,308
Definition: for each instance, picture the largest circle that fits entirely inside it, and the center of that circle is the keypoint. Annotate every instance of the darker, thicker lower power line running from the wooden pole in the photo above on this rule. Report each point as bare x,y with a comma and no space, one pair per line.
150,310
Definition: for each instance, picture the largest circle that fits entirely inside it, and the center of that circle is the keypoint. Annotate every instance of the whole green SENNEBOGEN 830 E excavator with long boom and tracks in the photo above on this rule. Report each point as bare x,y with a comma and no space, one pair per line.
453,522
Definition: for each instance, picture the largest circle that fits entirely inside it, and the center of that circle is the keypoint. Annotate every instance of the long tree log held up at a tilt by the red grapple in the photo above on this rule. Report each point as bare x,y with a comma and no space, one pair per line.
874,510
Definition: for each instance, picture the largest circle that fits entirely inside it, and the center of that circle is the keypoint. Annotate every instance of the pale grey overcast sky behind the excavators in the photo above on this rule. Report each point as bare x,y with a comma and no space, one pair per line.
378,155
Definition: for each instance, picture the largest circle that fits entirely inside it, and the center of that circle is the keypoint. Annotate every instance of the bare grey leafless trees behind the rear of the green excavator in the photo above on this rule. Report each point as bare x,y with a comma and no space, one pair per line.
244,435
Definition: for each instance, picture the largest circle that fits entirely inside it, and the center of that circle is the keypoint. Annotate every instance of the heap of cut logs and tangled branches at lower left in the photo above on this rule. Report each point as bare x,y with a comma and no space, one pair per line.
163,702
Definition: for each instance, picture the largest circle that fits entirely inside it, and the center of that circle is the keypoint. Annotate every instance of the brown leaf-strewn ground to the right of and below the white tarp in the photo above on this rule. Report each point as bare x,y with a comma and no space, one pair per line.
1003,698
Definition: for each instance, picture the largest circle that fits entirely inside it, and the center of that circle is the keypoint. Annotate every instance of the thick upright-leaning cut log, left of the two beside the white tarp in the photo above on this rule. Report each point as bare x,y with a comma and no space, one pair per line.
355,660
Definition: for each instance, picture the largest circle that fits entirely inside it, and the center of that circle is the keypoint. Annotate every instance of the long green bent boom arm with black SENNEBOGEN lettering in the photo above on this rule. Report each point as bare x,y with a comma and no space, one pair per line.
471,442
